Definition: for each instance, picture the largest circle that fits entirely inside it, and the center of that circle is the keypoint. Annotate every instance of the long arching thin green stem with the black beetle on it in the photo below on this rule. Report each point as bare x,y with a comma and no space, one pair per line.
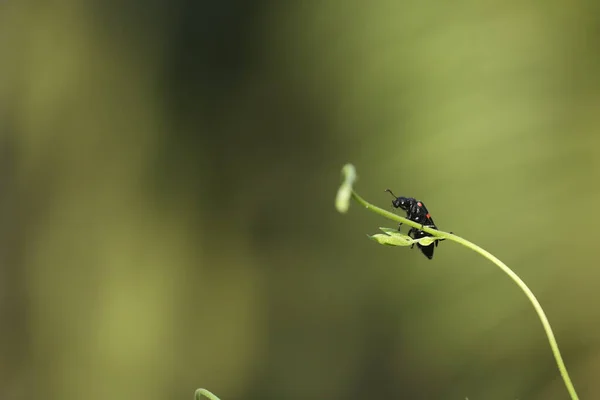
536,305
